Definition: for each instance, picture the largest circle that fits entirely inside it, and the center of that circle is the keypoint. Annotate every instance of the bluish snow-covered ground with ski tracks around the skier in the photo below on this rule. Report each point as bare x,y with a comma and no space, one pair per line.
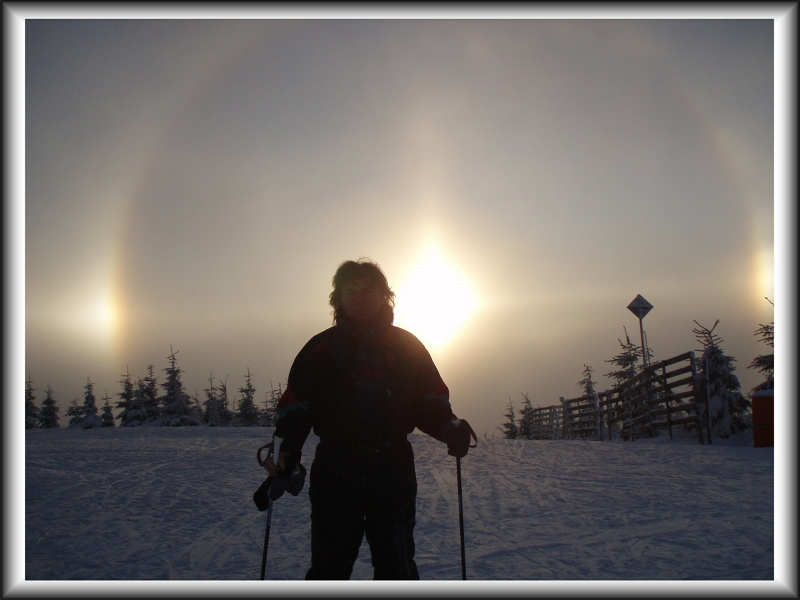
155,503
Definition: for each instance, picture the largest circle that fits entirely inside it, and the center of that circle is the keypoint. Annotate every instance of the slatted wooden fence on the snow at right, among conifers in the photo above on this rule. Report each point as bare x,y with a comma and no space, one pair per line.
666,395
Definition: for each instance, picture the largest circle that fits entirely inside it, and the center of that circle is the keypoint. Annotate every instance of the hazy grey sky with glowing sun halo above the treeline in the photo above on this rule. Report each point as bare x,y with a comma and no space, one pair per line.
196,184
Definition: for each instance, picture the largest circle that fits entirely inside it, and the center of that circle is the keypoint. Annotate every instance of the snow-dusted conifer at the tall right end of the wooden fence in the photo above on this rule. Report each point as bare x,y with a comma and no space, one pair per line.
728,407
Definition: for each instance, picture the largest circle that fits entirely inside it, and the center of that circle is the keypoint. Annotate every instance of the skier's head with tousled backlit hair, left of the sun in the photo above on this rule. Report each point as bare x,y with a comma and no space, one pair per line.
360,292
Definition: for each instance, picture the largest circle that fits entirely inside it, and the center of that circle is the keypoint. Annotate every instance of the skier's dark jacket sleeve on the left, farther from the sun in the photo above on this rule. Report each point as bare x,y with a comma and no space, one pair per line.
293,413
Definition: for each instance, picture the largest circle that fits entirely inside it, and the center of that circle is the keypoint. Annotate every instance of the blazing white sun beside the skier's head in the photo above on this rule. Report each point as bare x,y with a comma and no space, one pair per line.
434,302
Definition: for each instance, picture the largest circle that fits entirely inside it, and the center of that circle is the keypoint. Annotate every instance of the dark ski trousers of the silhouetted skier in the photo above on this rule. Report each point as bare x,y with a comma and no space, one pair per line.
355,491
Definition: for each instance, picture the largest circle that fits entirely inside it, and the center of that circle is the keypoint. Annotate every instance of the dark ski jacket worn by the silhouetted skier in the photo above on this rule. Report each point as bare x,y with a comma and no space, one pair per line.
362,385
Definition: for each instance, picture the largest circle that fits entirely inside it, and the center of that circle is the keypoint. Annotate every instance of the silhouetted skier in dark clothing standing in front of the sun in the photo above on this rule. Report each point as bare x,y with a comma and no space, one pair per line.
363,385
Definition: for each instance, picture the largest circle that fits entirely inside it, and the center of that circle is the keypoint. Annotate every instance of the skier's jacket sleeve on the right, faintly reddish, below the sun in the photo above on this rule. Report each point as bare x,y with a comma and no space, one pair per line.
432,398
